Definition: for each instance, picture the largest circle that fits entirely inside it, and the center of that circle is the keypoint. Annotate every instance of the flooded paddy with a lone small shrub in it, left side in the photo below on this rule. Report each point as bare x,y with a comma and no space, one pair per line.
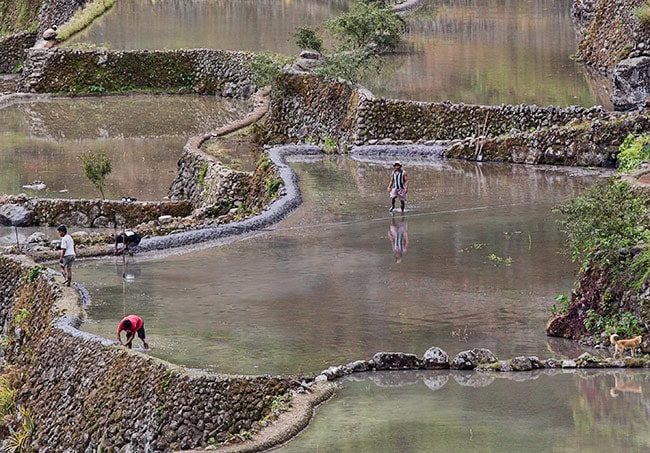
143,135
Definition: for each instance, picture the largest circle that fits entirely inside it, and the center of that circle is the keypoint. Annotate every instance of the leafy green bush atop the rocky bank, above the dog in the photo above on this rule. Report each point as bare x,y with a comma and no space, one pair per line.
602,221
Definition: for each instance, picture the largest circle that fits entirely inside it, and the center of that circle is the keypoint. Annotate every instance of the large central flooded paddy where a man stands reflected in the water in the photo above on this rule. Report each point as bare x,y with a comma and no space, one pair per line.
479,267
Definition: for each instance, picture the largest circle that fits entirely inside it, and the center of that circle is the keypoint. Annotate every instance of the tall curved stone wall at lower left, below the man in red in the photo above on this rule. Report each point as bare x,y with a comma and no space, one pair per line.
84,393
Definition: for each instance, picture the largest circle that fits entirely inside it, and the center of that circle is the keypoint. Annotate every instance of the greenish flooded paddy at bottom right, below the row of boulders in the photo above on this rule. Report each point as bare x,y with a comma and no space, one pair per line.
539,411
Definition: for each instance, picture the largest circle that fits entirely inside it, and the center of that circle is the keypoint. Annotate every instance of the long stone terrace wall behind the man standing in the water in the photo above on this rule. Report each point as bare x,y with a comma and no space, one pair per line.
304,108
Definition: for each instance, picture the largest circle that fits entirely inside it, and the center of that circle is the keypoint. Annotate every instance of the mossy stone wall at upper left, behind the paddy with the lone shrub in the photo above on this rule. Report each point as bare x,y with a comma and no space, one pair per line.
205,71
